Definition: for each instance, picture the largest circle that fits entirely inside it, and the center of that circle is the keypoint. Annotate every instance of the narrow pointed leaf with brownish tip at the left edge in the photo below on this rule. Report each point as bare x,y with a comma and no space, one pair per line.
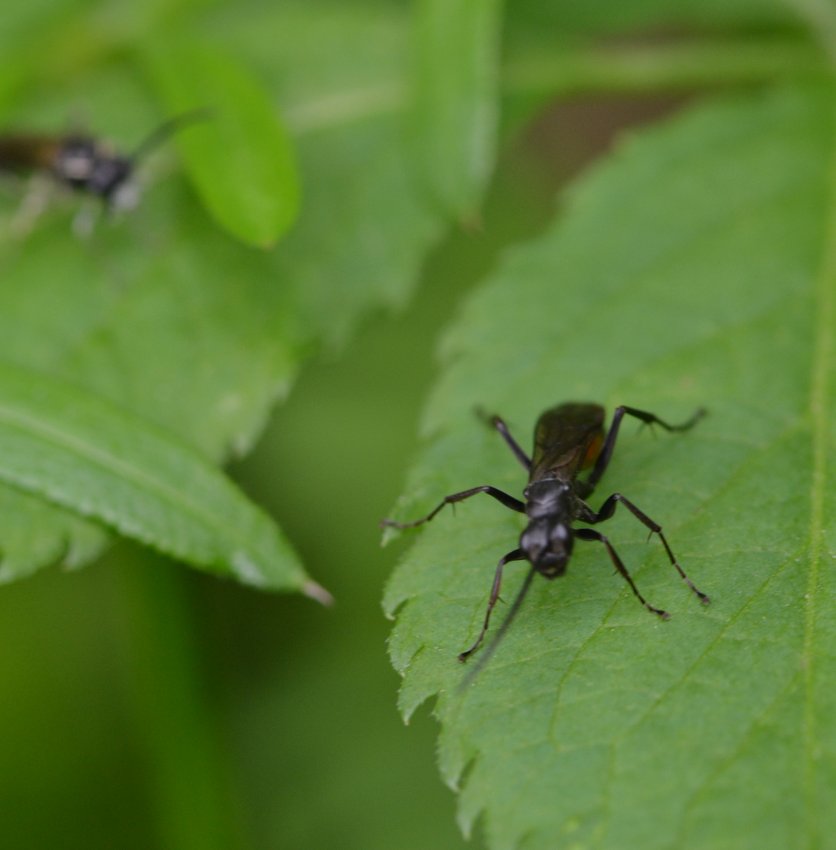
81,452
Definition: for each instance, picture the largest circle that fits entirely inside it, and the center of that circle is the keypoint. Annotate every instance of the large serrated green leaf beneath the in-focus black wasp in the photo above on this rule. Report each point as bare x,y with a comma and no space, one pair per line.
697,267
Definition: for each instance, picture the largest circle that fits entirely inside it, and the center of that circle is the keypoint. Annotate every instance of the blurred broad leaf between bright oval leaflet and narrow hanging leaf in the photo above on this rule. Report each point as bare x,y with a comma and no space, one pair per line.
365,227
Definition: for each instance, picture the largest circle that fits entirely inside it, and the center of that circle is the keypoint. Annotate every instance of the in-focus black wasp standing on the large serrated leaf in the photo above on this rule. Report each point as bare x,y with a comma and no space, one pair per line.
568,438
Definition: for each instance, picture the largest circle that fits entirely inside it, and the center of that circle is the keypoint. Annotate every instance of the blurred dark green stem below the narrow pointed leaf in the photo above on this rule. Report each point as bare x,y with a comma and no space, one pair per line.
190,786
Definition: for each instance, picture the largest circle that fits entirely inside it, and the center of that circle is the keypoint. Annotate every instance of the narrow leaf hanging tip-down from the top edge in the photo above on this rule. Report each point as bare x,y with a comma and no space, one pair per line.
454,120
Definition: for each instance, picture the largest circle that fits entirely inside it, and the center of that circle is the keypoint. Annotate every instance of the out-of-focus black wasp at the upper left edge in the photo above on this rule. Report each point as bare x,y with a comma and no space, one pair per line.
84,163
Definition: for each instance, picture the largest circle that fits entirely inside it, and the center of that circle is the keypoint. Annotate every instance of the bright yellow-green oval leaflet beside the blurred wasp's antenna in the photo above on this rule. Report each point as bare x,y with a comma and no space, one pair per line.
241,159
